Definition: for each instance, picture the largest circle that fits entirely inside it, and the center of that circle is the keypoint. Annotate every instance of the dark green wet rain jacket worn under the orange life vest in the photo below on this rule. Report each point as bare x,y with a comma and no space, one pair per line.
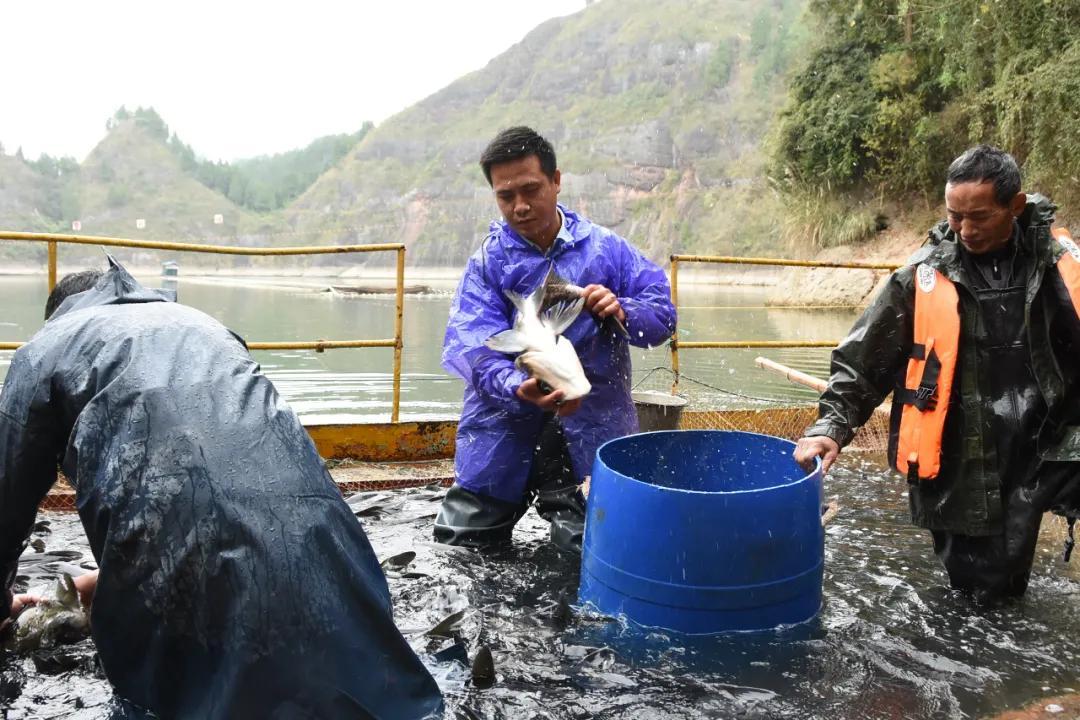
872,361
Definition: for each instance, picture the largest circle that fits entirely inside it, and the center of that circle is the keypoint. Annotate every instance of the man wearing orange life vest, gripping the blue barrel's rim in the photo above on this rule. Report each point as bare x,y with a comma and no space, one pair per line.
979,339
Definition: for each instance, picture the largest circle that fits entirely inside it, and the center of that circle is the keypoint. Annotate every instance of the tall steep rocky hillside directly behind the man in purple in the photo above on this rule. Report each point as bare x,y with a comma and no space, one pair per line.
657,111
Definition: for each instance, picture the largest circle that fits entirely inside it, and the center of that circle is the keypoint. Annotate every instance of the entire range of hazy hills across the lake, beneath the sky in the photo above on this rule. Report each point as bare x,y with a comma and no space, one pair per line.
658,111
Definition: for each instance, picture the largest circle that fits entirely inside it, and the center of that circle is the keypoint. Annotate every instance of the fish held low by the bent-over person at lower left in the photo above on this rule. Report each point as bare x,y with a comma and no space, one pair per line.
57,619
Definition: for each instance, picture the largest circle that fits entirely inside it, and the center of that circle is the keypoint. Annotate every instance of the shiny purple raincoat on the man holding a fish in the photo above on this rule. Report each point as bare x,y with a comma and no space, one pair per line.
497,432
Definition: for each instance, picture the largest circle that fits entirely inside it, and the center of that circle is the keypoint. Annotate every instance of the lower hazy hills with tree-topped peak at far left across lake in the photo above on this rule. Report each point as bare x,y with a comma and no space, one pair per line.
141,171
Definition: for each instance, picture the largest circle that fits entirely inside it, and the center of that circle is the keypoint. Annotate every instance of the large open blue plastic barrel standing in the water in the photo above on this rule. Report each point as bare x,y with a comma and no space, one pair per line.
704,532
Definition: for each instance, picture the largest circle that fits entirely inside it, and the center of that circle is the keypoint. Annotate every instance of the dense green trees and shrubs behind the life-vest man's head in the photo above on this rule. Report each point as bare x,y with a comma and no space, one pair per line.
897,89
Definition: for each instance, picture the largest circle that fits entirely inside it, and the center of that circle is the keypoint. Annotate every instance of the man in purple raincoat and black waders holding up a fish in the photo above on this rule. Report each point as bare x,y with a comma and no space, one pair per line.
517,441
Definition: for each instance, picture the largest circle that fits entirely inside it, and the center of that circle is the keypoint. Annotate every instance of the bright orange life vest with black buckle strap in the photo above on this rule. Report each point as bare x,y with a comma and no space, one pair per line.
931,369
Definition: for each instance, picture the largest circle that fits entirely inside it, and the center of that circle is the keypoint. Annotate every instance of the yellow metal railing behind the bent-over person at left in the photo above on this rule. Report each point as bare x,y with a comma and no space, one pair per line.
318,346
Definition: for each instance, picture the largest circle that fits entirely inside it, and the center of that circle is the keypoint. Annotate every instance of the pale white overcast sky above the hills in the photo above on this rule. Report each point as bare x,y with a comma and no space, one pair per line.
238,79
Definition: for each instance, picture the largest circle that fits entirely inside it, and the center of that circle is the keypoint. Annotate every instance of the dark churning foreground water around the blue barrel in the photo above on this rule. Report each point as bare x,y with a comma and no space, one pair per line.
890,642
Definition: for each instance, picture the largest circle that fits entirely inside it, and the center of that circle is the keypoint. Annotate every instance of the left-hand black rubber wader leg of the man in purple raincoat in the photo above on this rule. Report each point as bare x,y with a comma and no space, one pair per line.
475,521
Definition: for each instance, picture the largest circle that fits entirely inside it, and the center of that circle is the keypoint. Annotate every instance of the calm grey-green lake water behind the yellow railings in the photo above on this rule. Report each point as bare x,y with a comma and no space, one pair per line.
343,386
